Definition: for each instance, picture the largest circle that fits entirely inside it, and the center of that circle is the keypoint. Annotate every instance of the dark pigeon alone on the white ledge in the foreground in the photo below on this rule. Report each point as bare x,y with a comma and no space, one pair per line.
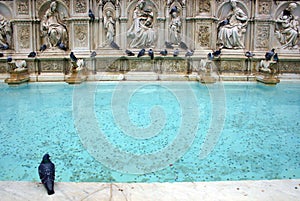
47,174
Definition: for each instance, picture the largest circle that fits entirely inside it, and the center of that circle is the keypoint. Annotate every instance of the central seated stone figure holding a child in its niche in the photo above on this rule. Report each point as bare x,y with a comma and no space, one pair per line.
141,31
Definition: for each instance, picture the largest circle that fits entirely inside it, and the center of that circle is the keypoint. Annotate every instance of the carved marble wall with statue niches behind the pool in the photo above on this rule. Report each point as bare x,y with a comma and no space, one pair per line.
136,24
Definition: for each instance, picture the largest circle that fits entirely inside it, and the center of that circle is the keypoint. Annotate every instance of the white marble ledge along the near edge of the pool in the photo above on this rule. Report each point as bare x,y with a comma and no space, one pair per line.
266,190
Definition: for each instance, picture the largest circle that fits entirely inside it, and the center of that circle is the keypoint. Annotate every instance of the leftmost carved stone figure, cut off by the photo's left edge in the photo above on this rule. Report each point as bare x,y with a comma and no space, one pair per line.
5,33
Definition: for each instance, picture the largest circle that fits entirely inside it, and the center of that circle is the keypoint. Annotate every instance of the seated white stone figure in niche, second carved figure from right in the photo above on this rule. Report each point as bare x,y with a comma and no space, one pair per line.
232,29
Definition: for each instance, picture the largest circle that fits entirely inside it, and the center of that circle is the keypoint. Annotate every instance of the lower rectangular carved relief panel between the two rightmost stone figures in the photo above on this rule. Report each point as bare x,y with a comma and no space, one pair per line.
262,36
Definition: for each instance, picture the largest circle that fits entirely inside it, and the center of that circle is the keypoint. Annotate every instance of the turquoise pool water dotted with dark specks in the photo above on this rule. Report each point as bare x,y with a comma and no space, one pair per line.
260,137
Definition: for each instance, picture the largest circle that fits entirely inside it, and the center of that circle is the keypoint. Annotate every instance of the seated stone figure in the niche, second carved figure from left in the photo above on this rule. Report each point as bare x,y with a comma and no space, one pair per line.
53,28
